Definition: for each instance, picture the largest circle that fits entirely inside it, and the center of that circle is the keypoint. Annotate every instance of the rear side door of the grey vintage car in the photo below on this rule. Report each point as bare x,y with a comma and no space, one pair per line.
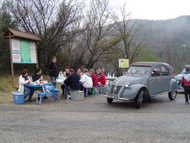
165,78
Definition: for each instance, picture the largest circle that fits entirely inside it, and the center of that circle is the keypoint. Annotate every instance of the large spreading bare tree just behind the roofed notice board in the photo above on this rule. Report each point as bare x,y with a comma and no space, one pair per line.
52,20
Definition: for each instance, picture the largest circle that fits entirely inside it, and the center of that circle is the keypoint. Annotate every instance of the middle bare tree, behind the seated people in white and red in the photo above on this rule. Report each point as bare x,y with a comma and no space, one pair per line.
96,39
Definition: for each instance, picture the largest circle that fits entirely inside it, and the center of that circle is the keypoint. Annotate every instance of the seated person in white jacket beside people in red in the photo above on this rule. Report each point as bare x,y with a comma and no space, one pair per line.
86,81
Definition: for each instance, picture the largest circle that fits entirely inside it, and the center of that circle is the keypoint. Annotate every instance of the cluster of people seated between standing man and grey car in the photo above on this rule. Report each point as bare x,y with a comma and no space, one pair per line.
83,79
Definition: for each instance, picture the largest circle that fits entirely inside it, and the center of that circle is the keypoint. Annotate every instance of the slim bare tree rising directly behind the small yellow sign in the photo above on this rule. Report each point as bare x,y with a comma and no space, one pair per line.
126,29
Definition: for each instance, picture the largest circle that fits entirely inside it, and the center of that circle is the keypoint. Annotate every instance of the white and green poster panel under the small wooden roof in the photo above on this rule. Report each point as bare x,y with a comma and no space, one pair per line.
23,51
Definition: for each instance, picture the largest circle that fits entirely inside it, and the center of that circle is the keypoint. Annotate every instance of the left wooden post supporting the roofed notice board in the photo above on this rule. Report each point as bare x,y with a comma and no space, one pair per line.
11,61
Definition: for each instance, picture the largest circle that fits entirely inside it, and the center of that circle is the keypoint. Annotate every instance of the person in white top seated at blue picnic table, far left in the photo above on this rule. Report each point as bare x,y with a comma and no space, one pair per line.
24,79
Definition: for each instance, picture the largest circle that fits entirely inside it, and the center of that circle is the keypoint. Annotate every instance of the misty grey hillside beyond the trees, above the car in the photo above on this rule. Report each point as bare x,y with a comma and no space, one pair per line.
169,39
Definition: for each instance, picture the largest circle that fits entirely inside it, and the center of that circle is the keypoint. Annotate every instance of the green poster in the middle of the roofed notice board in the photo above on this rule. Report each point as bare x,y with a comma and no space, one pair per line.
25,51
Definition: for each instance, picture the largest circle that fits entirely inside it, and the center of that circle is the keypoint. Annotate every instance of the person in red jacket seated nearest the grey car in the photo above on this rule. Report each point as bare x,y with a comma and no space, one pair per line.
101,80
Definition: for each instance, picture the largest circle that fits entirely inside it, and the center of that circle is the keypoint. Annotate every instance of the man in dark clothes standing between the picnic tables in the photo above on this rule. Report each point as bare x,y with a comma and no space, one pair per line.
53,70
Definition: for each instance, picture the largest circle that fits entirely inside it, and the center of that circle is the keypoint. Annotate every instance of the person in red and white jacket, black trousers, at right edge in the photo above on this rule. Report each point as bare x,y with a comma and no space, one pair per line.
185,81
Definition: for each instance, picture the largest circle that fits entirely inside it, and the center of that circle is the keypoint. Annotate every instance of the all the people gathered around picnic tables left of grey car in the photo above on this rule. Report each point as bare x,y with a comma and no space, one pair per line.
76,79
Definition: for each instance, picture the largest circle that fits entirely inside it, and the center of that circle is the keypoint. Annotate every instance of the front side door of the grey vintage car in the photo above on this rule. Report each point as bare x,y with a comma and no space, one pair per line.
154,81
